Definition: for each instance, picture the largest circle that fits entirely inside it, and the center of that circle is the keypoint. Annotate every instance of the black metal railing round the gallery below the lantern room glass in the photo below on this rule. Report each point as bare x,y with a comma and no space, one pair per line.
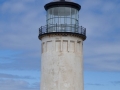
62,28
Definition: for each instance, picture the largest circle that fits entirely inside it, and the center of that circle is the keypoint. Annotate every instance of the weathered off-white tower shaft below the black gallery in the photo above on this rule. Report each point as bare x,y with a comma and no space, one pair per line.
61,63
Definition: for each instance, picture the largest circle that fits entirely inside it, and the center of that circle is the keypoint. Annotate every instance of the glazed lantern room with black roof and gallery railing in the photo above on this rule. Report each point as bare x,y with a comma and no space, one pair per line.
62,16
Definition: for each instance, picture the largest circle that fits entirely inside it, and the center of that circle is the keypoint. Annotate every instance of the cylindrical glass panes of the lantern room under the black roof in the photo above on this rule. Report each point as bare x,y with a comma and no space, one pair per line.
63,18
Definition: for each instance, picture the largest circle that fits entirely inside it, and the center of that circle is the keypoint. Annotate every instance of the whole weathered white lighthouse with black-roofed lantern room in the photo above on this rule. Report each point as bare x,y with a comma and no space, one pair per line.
62,47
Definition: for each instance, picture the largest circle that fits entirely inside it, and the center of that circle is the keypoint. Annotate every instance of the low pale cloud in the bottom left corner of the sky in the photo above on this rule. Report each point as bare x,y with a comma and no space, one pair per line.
17,85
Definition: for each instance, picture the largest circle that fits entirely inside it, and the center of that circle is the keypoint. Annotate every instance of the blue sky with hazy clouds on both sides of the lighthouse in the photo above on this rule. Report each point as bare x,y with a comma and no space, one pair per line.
20,48
